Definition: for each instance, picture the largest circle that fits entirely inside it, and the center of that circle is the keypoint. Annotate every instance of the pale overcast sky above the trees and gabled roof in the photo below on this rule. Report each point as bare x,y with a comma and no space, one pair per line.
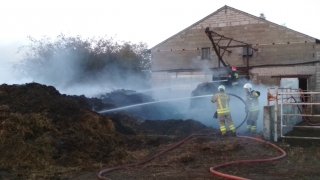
148,21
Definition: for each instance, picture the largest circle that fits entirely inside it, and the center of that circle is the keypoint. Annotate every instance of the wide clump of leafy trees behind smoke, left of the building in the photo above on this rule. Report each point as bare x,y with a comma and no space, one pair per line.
70,60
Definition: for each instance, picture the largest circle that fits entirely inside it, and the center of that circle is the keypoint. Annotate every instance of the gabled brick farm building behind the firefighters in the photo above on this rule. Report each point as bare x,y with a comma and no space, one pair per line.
262,51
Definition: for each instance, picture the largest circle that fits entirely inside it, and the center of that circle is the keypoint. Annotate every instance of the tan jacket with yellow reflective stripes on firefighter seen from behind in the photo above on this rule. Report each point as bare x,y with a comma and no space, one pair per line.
222,102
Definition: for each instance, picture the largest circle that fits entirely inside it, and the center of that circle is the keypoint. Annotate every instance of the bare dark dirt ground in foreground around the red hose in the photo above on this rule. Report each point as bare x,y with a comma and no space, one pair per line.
193,160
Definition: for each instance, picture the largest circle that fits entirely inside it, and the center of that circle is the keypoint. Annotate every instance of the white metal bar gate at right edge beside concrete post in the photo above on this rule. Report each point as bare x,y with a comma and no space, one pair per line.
295,106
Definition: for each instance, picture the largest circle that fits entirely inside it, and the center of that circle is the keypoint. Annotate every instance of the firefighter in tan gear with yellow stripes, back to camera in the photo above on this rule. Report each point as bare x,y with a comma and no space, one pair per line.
222,103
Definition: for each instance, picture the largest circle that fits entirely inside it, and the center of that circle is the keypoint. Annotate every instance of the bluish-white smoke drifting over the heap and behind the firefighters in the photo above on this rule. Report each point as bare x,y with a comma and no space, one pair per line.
60,73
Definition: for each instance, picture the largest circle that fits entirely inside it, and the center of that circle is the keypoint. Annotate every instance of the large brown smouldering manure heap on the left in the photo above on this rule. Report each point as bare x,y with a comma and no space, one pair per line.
44,133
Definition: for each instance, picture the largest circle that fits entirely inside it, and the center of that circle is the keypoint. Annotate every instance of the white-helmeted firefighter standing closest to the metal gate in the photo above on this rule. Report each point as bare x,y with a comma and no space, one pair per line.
253,110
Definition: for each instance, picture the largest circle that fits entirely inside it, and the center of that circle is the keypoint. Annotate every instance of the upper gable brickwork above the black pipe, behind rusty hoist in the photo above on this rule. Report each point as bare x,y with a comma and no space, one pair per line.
275,43
